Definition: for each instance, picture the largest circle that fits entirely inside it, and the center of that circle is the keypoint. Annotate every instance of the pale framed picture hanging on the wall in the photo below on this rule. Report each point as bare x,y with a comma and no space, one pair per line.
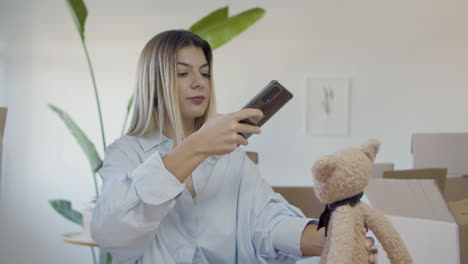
327,106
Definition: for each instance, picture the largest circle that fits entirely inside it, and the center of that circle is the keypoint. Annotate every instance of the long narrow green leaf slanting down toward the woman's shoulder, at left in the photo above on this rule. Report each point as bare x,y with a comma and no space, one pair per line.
86,145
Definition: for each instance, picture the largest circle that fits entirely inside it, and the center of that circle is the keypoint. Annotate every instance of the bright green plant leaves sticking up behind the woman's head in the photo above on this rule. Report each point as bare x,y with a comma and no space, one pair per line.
218,29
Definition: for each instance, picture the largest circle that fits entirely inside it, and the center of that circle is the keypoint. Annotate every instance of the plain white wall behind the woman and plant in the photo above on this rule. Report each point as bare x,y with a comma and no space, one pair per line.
407,61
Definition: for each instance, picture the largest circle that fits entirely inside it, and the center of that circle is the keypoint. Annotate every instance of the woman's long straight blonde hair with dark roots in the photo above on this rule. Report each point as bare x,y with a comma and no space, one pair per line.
156,98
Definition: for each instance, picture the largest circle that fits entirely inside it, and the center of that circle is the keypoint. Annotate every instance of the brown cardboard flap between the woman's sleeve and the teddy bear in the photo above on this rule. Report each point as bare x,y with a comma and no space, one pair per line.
303,198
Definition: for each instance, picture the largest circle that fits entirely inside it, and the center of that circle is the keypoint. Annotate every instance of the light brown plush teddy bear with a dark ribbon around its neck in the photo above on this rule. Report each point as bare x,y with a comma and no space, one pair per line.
339,182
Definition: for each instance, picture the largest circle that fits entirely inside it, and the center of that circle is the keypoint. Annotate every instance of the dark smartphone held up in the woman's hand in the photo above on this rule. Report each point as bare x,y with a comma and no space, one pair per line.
269,100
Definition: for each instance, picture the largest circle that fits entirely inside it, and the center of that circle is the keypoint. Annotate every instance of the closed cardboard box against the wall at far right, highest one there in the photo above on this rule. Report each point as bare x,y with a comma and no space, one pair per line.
443,150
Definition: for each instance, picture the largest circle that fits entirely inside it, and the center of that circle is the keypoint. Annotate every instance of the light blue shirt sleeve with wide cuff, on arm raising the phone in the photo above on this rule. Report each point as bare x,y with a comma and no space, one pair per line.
134,200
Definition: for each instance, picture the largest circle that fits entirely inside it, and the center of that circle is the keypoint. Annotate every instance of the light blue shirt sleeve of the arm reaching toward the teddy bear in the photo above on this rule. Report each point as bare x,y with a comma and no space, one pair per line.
276,226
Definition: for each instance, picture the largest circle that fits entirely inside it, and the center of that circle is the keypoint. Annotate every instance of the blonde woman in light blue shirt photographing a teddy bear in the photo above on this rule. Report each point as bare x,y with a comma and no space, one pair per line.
176,188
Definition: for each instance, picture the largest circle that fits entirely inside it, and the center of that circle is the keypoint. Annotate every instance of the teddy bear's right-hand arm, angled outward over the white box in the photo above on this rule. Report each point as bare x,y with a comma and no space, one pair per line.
387,235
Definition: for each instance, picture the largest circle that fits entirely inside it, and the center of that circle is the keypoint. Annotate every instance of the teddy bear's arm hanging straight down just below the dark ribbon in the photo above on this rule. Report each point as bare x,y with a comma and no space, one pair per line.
341,236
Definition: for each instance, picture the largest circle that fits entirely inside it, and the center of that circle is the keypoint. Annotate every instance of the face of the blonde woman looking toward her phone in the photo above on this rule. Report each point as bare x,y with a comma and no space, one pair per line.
193,82
